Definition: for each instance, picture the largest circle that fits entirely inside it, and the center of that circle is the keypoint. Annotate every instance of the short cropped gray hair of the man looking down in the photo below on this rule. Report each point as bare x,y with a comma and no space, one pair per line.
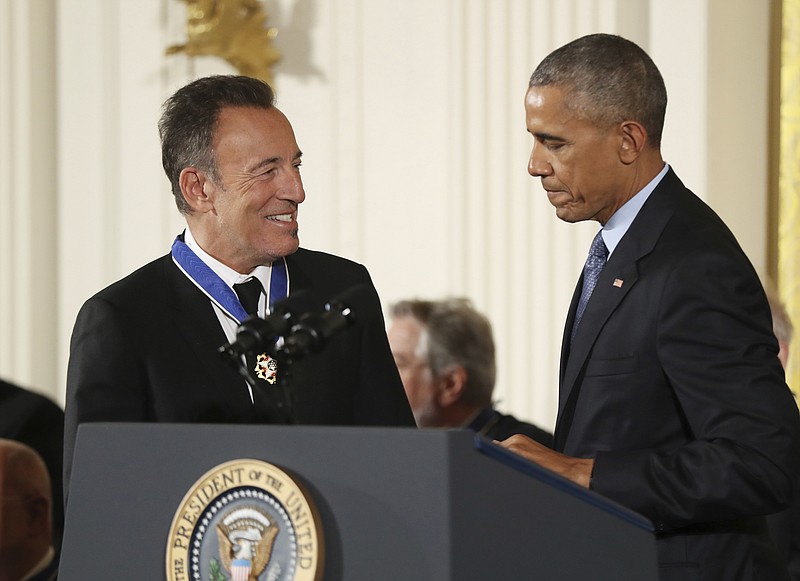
608,80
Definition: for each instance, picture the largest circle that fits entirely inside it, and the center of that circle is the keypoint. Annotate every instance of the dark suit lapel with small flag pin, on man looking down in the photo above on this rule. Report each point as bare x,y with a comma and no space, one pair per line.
617,280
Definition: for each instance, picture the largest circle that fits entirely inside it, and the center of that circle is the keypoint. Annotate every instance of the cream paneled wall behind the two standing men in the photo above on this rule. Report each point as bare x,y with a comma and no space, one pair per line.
411,122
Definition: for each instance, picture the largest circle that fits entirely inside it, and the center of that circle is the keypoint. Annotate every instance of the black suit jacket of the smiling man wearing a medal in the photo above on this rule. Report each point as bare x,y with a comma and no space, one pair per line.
145,350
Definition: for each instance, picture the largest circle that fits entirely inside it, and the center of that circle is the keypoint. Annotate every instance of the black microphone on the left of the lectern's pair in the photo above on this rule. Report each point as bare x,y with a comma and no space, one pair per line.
256,335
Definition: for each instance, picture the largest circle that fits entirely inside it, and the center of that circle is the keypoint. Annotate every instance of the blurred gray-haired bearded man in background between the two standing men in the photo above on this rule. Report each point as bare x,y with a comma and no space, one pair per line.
444,351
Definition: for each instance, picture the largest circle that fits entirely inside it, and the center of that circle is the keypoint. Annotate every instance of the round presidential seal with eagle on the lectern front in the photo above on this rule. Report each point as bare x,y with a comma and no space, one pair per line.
245,520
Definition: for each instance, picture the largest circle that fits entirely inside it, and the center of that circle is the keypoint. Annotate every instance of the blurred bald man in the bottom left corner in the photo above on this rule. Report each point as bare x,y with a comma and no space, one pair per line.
26,550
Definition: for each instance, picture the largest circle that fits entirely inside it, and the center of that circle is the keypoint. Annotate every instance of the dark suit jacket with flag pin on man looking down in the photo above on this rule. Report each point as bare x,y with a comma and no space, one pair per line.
673,385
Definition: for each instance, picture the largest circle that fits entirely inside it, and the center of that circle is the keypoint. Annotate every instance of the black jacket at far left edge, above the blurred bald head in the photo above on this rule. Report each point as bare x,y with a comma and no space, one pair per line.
37,421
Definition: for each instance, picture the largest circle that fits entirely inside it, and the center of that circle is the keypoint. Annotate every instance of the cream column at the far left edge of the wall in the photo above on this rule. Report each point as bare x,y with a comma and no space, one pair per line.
28,195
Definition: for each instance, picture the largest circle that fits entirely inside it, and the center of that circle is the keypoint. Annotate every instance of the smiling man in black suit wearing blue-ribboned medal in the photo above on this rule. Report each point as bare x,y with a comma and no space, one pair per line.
145,348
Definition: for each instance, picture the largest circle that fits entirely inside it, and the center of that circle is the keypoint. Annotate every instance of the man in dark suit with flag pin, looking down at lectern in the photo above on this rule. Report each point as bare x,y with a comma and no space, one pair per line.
672,398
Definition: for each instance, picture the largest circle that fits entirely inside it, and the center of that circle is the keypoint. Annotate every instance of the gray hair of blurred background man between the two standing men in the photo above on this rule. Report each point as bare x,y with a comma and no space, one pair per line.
457,335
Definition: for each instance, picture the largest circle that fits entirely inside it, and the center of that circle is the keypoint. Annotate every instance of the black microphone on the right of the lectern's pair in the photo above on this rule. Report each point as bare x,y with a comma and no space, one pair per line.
313,330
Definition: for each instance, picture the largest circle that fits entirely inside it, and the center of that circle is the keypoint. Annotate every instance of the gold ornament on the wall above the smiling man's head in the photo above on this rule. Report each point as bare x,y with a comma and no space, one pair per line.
234,30
